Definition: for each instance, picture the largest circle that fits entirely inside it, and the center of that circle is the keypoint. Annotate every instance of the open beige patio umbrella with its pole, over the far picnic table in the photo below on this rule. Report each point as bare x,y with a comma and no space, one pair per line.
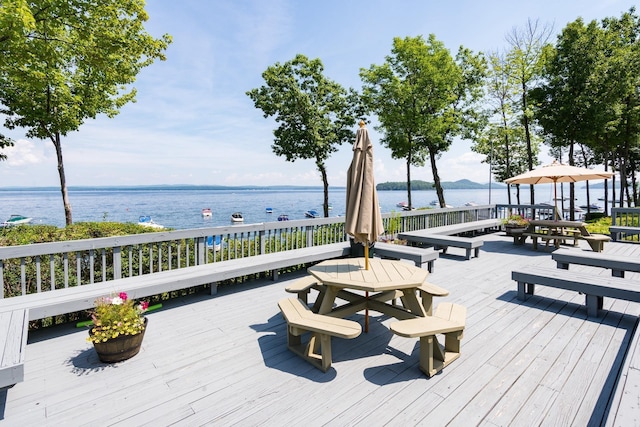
557,172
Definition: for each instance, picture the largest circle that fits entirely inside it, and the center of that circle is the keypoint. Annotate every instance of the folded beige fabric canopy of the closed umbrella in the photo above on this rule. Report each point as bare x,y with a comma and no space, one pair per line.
363,217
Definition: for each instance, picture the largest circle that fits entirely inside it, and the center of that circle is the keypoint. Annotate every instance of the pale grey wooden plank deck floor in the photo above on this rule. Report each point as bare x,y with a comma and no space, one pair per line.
223,360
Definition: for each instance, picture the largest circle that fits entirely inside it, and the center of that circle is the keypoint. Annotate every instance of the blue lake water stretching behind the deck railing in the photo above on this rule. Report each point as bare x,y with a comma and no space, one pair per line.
181,207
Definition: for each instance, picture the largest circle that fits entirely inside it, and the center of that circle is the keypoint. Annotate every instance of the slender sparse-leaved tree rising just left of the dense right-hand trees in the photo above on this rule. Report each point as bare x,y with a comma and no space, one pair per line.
526,57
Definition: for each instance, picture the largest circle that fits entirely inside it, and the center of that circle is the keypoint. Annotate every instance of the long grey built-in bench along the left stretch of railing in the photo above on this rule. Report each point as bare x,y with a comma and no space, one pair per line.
69,300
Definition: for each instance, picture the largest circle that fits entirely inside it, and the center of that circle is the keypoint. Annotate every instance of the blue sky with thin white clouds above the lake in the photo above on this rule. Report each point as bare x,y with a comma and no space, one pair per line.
193,123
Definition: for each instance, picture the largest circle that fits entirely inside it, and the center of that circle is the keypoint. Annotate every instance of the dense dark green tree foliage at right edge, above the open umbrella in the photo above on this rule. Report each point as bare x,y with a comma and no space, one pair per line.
589,105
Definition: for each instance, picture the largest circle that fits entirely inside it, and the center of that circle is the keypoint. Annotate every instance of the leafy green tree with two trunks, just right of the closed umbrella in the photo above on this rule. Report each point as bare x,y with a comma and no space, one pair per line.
423,98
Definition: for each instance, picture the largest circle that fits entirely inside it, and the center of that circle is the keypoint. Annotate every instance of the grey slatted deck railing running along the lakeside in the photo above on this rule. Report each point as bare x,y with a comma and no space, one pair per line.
46,266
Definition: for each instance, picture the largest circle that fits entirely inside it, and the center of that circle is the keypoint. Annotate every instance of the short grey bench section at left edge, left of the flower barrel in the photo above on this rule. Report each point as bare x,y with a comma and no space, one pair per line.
14,326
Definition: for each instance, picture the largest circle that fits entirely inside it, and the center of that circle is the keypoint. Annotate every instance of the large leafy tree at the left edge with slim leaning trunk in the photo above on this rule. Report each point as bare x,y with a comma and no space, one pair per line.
64,62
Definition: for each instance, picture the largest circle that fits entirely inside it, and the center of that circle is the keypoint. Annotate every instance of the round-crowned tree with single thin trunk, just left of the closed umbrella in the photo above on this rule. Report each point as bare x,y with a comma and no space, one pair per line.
315,114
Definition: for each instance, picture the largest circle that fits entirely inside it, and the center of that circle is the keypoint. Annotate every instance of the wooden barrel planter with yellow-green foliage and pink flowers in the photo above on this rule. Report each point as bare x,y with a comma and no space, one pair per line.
118,327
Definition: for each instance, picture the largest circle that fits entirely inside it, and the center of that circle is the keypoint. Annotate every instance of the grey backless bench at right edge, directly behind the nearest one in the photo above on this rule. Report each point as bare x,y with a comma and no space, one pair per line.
616,263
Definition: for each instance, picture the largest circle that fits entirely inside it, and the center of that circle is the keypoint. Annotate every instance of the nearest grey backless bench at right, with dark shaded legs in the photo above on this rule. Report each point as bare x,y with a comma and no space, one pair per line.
595,288
